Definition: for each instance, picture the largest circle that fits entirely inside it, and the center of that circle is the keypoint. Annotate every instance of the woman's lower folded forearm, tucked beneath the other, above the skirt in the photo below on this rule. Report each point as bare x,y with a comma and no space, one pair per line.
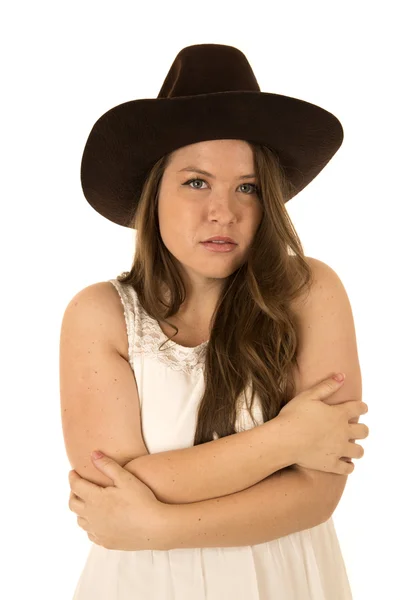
284,503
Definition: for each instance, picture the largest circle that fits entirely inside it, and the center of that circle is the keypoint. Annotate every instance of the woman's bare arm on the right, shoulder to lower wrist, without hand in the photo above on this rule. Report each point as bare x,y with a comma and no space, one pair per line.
291,499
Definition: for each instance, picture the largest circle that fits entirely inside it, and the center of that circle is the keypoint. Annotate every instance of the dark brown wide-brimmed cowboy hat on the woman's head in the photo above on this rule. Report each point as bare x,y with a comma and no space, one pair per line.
209,93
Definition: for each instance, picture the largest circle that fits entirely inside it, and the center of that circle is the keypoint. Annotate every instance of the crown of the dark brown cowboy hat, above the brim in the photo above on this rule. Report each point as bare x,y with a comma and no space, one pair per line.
208,69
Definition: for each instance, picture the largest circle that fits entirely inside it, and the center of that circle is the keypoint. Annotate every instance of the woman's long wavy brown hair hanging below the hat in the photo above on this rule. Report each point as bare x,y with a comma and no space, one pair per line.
253,338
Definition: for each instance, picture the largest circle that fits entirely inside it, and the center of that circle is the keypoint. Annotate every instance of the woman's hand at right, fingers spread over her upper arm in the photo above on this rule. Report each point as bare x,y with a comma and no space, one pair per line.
322,432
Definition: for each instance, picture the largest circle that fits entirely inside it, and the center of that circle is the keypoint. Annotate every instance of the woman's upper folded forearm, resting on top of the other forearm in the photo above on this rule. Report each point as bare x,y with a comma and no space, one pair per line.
217,468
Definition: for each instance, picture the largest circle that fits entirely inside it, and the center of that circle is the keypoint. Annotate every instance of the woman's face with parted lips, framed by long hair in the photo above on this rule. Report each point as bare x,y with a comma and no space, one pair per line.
223,203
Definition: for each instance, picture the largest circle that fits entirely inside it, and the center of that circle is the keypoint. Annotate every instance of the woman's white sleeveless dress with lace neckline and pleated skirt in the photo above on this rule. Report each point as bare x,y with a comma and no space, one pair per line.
307,565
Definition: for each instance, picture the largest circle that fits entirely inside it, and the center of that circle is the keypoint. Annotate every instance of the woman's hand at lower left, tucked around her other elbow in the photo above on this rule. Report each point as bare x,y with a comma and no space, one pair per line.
123,516
